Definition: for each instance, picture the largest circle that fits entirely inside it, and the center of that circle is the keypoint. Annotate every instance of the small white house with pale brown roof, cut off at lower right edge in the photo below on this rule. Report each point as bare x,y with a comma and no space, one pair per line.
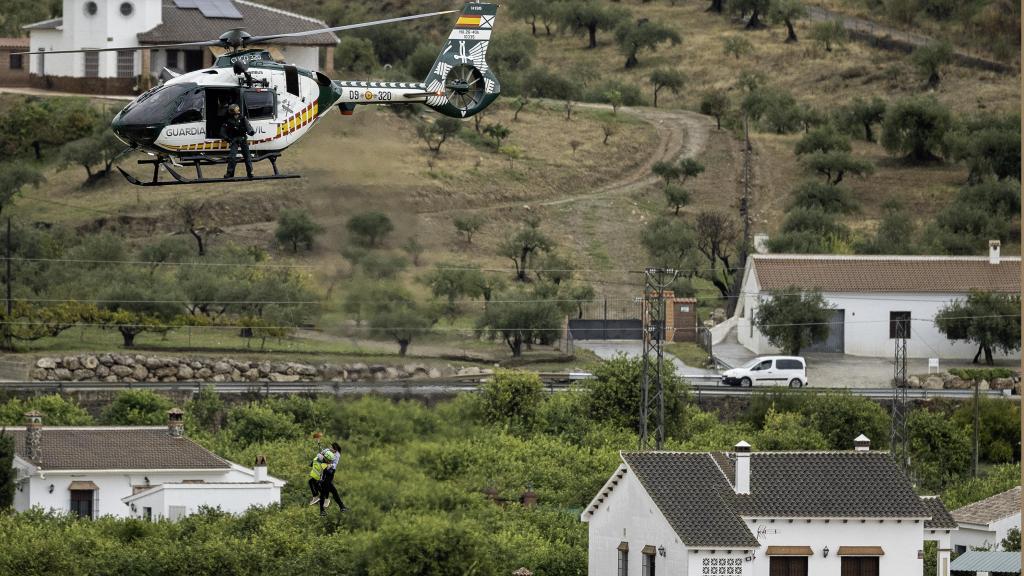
986,524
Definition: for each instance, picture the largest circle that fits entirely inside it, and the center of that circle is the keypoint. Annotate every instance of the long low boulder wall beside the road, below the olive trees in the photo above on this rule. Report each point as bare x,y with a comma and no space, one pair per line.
140,368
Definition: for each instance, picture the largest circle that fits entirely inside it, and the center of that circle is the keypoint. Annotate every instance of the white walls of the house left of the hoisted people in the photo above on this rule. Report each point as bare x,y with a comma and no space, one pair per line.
51,490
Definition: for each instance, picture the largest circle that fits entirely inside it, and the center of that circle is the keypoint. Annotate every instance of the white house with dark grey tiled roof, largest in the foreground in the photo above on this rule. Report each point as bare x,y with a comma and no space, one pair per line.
764,514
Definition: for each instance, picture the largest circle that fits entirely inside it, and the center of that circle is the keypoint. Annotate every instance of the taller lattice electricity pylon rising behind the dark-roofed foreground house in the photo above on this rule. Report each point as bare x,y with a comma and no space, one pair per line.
653,402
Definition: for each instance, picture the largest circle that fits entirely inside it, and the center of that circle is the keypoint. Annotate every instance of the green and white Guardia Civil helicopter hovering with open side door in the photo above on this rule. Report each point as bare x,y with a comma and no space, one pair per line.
178,124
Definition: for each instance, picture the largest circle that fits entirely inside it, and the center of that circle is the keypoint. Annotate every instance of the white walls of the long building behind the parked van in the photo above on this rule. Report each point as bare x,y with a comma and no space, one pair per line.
867,323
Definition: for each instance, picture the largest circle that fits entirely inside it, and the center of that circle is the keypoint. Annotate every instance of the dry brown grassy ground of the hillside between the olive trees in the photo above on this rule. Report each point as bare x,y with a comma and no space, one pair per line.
593,201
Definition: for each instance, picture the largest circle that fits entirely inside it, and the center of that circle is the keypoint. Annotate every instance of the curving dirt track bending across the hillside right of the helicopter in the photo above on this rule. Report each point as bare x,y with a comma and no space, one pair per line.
681,135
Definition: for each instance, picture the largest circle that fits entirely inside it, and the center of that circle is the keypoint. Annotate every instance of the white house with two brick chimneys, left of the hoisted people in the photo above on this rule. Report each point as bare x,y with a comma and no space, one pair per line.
140,472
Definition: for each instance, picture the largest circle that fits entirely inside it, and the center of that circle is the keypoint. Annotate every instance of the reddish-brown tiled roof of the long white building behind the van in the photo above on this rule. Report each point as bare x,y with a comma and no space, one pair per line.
887,274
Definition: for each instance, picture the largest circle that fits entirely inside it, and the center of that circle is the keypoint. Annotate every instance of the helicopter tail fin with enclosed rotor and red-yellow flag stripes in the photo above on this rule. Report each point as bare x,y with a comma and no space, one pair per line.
460,81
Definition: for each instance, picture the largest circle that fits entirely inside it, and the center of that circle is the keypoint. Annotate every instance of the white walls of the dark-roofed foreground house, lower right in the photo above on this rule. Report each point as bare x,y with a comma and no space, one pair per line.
624,518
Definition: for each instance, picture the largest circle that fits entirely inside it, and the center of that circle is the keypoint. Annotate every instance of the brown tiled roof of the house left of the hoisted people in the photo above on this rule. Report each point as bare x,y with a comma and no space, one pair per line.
137,448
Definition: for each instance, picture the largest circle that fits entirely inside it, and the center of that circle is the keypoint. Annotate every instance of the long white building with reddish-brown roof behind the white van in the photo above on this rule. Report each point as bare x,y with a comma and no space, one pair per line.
871,294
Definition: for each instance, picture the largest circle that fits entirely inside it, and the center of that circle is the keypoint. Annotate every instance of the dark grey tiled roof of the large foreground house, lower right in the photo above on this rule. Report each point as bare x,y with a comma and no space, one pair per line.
696,495
